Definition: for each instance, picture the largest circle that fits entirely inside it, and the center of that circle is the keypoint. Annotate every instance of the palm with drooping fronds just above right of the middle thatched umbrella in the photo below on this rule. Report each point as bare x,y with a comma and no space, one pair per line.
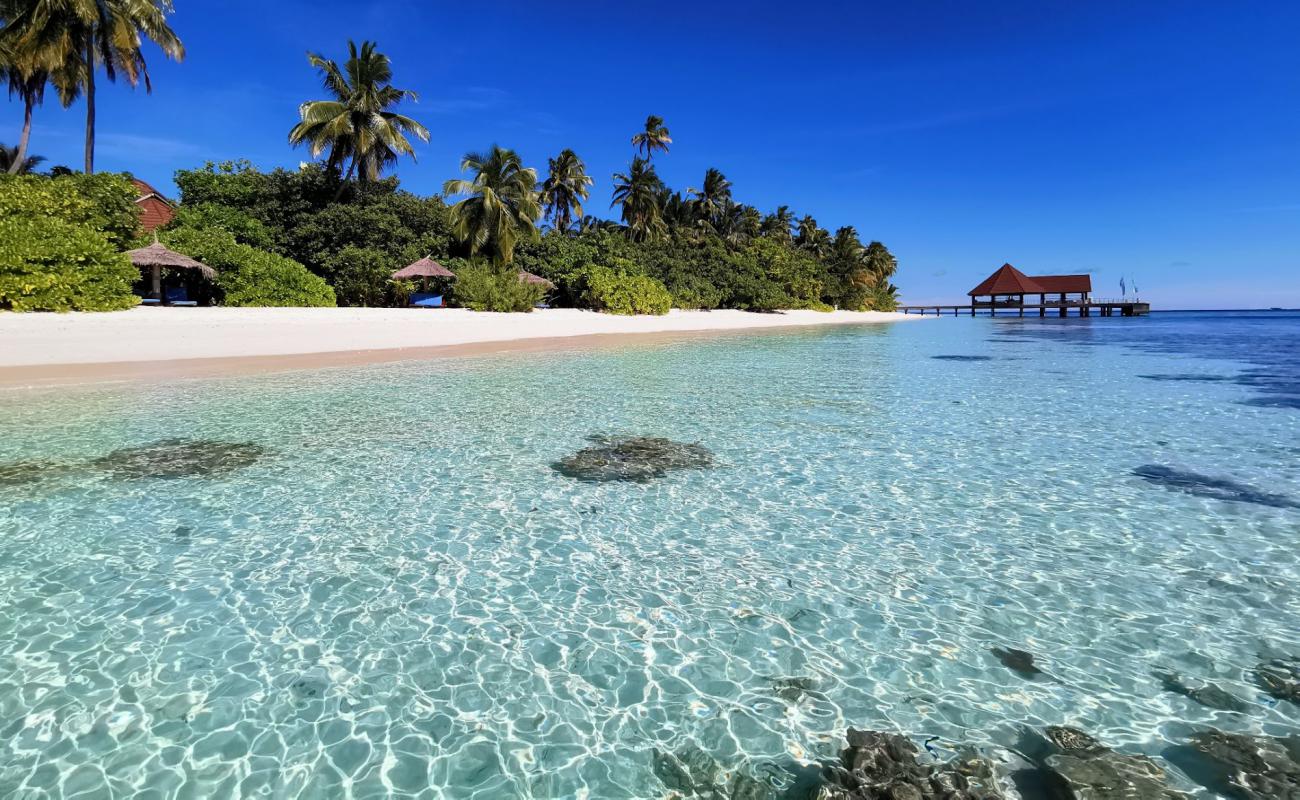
501,206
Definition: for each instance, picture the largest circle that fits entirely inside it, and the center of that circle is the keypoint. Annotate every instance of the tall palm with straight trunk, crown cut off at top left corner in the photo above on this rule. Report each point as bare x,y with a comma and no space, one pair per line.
75,38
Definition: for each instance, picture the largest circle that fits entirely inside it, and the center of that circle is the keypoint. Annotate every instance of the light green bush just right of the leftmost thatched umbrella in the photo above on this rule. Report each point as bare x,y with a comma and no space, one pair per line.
248,276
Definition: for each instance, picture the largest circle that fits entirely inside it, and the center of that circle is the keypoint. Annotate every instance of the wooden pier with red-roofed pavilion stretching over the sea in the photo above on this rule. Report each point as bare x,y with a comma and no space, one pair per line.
1006,291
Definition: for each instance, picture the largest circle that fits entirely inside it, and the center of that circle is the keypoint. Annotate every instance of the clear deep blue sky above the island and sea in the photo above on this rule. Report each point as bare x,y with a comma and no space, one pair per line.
1155,141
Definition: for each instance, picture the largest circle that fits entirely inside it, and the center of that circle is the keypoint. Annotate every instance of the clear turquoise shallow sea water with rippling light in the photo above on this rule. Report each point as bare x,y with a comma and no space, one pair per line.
404,599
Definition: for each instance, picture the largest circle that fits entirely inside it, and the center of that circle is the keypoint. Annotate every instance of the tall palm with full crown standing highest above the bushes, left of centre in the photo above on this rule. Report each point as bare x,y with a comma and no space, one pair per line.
357,127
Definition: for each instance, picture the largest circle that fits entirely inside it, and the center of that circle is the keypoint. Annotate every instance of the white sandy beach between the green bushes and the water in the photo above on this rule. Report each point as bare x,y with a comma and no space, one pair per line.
40,349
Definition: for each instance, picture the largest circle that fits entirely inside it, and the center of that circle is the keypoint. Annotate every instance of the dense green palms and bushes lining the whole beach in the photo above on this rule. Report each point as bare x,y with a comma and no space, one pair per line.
336,231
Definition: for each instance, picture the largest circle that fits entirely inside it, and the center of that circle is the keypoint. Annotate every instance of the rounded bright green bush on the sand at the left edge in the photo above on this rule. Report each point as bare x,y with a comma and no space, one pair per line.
47,265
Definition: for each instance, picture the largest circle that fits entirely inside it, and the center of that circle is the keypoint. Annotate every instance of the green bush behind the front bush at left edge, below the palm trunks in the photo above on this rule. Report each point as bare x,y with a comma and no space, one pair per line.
103,204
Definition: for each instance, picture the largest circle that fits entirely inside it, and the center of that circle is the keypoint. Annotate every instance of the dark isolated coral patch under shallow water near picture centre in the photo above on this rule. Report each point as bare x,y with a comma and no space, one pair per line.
636,459
